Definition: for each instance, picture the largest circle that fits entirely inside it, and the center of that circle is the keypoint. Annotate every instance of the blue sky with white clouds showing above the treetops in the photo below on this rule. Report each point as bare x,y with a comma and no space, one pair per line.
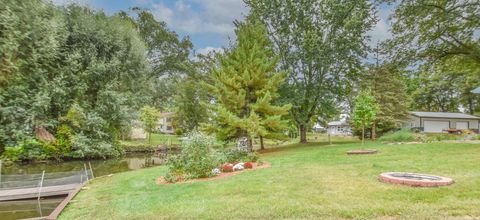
208,23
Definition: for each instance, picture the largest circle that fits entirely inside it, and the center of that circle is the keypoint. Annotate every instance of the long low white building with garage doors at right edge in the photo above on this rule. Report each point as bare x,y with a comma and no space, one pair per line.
437,122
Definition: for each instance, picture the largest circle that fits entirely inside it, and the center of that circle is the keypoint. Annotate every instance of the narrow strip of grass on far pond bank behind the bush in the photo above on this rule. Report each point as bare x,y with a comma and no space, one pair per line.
144,144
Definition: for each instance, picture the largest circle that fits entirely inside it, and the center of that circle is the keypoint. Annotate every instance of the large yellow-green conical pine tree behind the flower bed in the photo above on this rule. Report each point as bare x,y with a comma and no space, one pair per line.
243,87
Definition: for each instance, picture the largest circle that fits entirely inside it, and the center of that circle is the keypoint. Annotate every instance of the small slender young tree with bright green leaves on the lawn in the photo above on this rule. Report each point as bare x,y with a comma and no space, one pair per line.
365,111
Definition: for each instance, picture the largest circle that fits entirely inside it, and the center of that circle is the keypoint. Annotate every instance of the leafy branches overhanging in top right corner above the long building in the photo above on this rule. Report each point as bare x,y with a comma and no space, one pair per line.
436,29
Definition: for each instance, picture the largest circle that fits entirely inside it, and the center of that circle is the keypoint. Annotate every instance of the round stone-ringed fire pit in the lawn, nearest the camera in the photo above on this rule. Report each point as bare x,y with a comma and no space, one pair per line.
415,179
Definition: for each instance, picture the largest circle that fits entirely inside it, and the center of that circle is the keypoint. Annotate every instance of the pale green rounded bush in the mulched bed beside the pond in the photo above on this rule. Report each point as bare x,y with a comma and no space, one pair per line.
196,160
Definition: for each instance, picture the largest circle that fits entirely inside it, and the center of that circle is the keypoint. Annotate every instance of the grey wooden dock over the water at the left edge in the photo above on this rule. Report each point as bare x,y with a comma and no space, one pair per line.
33,193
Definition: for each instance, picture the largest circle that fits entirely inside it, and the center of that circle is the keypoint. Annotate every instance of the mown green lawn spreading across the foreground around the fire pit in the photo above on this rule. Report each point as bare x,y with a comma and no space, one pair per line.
312,181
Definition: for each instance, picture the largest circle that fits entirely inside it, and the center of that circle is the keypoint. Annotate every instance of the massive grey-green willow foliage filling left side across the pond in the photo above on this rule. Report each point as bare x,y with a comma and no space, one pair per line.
80,67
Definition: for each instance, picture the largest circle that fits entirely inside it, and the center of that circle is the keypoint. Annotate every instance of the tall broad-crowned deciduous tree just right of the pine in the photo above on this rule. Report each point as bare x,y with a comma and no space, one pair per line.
320,44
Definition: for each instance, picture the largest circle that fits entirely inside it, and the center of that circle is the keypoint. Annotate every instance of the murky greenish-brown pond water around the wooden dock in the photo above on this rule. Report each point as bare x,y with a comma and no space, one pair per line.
33,208
